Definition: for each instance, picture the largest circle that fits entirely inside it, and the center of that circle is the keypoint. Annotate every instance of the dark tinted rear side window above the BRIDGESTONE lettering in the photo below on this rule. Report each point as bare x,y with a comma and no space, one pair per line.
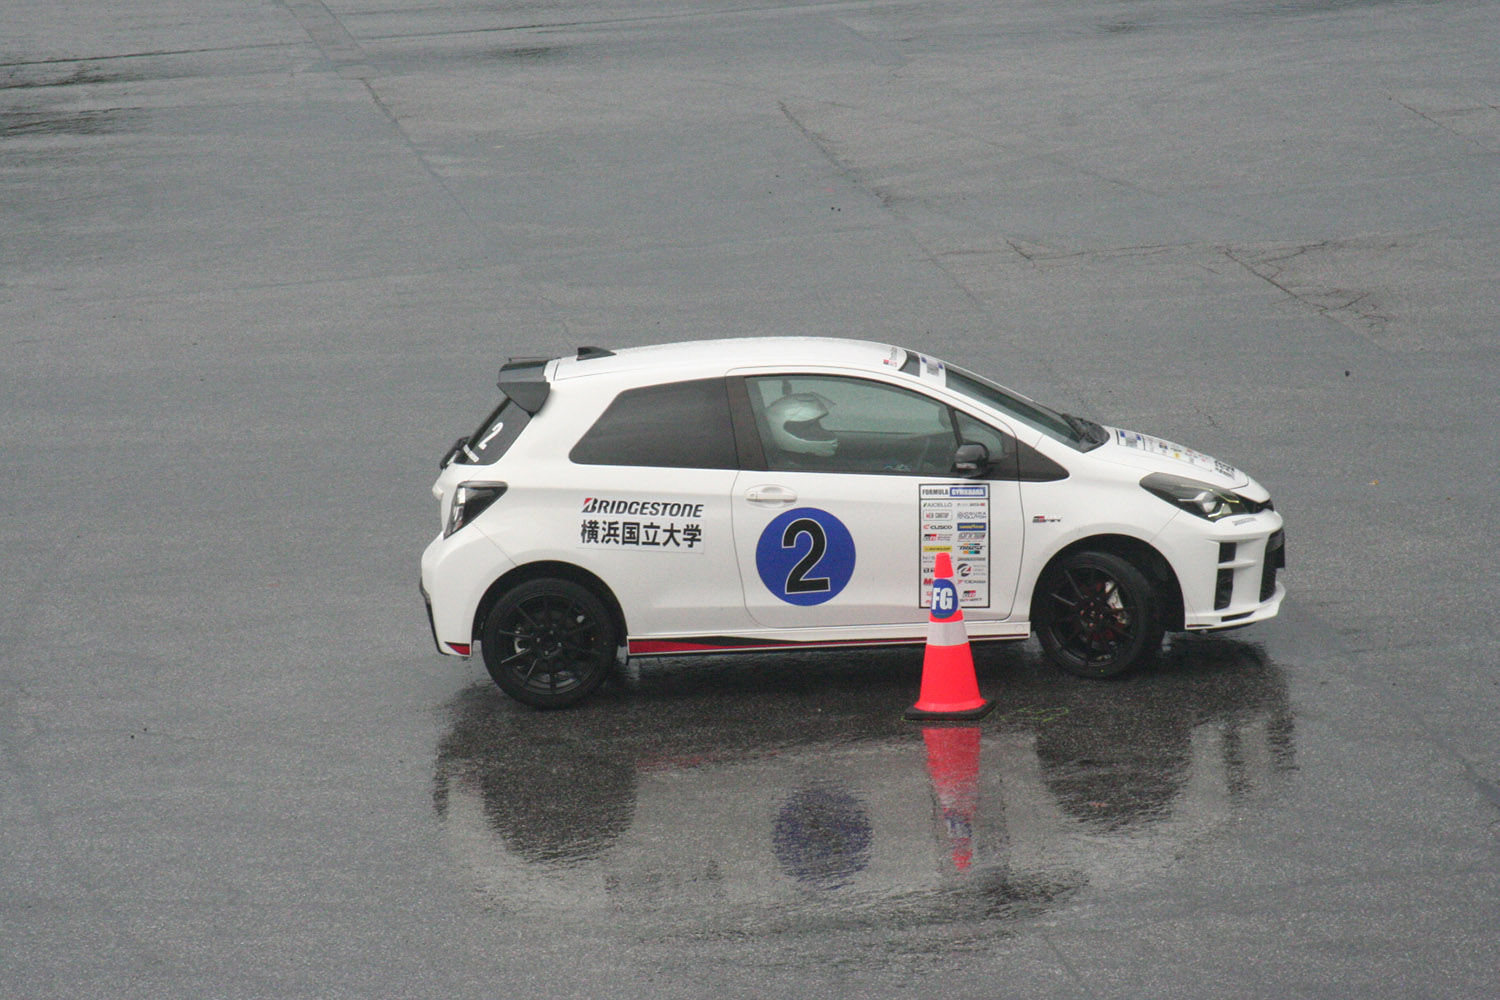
676,427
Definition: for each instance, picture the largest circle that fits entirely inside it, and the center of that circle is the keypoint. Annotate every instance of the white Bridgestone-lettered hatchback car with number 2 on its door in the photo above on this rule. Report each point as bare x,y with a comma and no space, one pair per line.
794,493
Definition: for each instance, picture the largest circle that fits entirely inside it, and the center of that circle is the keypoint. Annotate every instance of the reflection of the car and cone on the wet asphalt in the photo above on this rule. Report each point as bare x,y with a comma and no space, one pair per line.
814,803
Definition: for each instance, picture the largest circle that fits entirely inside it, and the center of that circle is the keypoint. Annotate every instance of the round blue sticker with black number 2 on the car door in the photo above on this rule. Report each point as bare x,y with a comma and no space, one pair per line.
805,557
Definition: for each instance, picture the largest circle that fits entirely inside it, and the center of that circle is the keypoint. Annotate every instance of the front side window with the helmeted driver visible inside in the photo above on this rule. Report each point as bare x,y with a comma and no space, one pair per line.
829,424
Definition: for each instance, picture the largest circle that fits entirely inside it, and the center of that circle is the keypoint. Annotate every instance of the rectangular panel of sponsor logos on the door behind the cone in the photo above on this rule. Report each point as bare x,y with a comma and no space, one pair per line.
956,519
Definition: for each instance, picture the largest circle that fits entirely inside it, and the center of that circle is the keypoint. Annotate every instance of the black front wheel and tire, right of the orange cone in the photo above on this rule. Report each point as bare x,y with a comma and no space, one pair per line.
1097,615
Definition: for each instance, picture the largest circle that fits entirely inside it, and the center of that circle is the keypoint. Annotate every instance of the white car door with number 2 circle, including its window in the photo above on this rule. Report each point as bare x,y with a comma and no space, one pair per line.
857,497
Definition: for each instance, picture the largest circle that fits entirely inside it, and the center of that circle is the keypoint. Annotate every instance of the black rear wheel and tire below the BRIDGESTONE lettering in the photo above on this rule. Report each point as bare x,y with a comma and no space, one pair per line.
550,642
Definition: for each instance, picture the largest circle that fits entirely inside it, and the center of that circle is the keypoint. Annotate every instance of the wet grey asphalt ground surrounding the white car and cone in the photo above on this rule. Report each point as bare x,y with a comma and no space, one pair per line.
259,263
